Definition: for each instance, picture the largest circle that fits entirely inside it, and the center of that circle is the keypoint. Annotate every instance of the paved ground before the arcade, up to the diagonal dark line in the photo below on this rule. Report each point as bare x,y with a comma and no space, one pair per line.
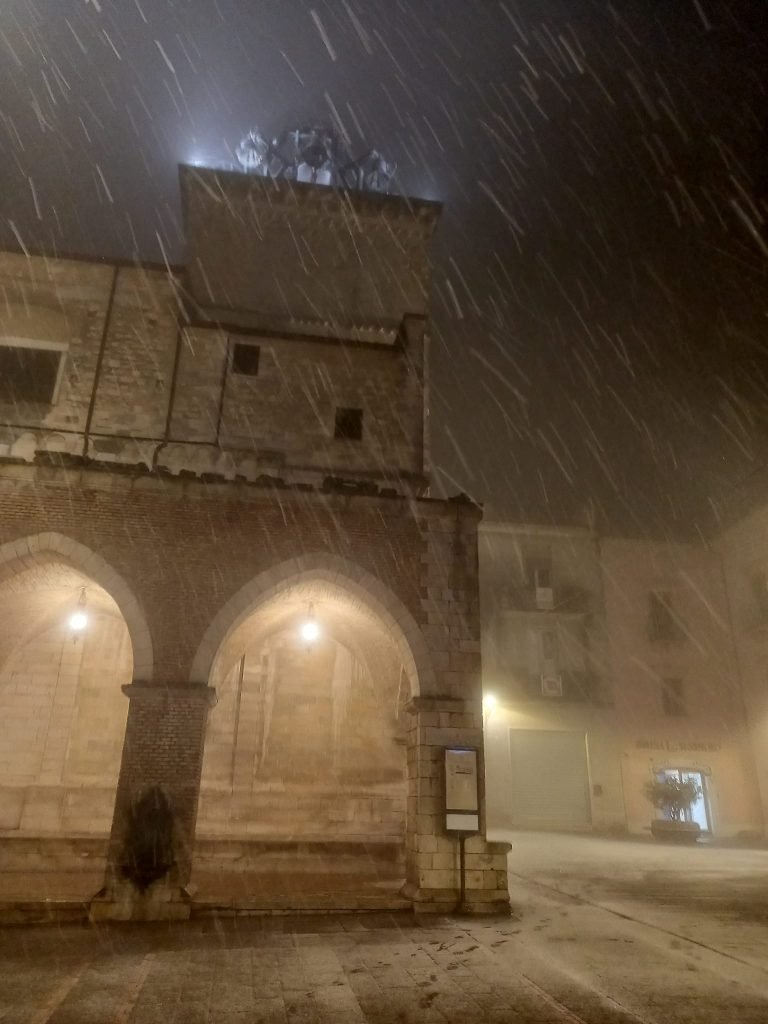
558,961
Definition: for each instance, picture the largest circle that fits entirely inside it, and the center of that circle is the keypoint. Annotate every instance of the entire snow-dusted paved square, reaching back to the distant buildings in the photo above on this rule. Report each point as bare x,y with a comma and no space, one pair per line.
604,933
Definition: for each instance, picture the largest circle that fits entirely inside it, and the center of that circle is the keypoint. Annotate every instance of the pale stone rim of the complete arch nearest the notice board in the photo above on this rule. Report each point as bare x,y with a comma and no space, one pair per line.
348,577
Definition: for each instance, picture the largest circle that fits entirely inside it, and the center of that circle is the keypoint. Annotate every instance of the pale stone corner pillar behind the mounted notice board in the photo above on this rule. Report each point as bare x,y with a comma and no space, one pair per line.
433,855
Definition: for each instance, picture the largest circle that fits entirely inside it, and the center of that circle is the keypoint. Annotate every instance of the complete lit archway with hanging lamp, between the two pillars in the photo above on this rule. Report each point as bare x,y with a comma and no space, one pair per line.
308,742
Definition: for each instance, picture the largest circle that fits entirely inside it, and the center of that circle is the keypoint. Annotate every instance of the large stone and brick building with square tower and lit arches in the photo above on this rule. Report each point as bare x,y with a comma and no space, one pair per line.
229,600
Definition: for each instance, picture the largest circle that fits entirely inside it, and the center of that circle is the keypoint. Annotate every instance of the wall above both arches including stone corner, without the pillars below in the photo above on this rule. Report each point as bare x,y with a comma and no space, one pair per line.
186,548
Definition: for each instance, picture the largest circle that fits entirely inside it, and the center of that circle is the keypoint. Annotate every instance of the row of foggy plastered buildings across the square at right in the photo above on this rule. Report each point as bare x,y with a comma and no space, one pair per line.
610,662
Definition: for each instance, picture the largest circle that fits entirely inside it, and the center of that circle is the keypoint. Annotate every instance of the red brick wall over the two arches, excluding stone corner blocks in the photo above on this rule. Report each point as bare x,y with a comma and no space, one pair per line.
186,549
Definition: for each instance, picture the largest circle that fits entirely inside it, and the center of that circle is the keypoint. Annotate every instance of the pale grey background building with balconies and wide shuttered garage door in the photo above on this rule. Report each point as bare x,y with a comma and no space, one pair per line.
552,750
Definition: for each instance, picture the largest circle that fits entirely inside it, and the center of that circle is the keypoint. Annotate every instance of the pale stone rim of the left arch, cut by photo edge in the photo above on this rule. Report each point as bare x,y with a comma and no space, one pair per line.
95,567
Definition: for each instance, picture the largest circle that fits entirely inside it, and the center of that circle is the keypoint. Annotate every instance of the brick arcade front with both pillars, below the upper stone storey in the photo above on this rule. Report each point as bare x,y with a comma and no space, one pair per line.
177,556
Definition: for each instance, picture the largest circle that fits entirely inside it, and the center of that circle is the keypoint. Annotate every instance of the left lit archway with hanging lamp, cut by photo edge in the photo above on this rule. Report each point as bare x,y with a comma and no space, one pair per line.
66,651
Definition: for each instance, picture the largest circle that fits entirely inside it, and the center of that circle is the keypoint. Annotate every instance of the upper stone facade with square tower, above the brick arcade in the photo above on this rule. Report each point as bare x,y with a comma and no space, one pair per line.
152,372
